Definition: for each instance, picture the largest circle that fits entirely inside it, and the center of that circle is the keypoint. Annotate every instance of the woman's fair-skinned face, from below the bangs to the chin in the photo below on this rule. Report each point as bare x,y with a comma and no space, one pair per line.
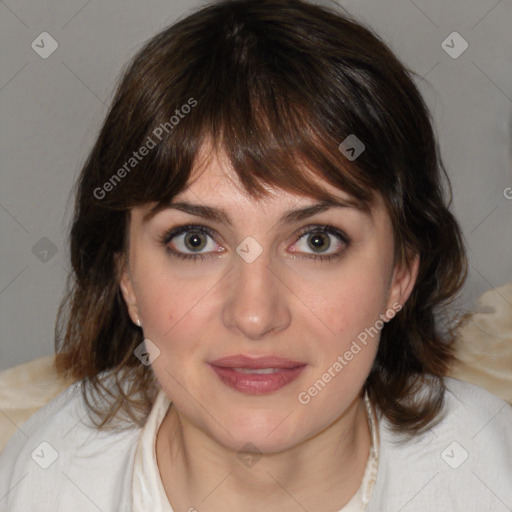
315,291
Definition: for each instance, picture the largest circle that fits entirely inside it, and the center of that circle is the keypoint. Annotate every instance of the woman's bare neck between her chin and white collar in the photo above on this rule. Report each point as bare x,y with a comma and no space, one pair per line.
321,473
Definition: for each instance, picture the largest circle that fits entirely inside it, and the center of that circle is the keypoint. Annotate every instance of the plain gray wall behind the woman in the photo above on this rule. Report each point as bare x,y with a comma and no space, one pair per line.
52,108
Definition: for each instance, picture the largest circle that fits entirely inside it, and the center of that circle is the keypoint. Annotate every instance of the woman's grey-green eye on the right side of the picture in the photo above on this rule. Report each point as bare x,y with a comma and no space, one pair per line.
319,239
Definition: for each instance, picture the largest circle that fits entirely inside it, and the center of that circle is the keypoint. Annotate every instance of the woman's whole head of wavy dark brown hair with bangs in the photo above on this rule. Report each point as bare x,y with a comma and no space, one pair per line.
278,85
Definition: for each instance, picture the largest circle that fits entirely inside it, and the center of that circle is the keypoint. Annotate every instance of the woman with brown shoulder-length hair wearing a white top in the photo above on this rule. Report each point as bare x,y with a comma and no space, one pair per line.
261,249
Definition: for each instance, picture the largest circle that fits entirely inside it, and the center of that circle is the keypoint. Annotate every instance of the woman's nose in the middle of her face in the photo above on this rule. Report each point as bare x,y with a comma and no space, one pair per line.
257,299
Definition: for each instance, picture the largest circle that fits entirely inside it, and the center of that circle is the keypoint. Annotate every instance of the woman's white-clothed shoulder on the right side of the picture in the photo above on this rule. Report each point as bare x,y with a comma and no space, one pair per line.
462,463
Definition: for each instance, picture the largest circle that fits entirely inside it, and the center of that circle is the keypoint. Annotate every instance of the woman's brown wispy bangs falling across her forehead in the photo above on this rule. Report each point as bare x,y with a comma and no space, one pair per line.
265,147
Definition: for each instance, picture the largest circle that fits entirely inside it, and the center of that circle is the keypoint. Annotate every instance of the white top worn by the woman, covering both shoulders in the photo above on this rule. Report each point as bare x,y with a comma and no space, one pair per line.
57,462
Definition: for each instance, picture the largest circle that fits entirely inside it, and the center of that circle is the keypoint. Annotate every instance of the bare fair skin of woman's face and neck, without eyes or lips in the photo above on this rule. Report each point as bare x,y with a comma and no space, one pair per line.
284,303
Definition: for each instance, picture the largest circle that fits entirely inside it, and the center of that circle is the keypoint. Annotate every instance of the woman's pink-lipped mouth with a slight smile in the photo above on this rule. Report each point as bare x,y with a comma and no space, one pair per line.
257,375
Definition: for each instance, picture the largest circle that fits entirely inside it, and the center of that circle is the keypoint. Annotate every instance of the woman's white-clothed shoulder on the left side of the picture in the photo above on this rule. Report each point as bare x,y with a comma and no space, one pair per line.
57,460
